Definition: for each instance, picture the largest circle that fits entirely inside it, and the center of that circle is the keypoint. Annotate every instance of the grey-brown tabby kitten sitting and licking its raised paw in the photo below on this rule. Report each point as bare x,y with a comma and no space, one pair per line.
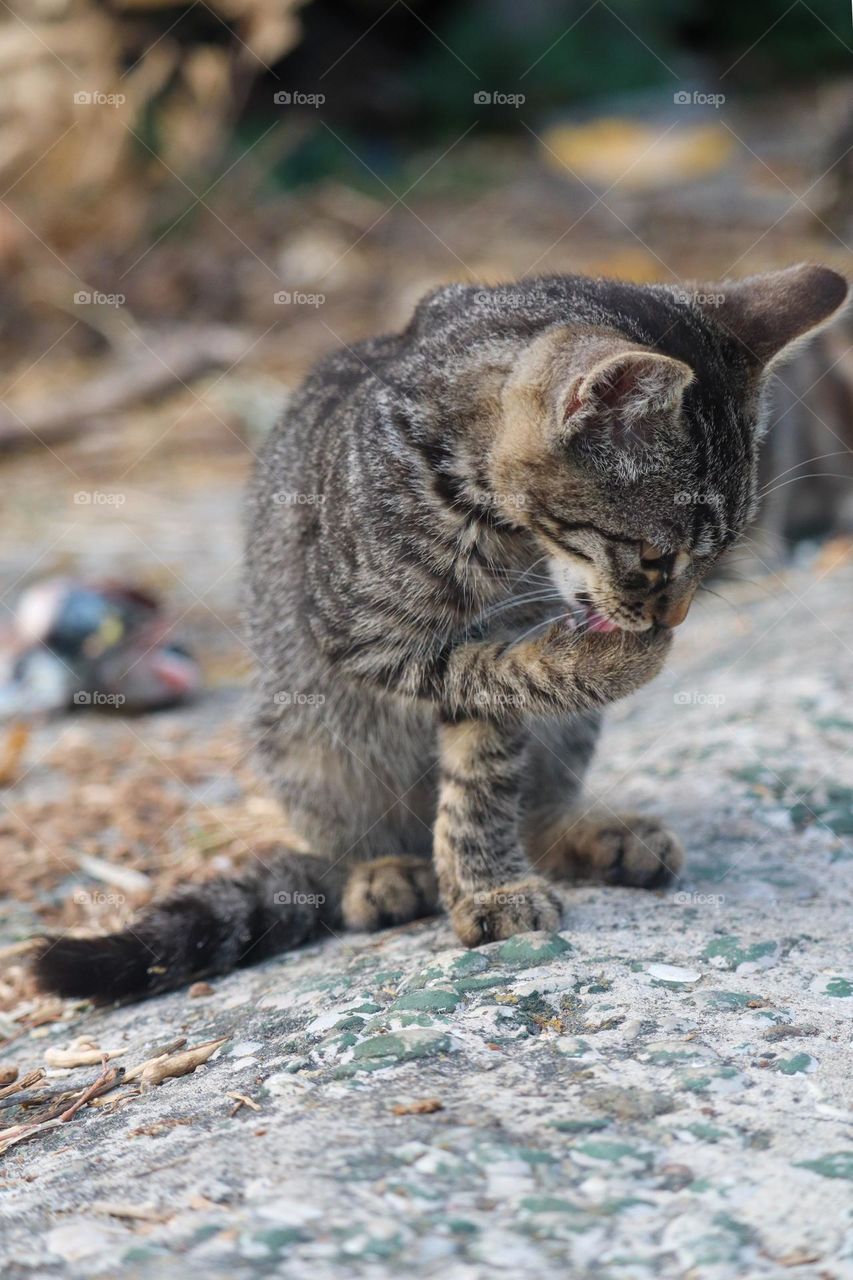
464,542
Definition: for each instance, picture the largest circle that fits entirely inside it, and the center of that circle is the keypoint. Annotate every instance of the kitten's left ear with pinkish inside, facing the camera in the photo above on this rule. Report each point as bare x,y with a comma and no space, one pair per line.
627,395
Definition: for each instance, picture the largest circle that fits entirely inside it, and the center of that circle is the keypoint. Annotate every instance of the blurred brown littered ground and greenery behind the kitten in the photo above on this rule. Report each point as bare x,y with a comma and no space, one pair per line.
200,199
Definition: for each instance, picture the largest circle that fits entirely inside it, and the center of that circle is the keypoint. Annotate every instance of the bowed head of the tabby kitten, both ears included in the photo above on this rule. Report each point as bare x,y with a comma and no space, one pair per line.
628,447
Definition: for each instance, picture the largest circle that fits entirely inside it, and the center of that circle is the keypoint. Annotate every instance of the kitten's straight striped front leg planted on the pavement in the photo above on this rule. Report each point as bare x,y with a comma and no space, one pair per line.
485,876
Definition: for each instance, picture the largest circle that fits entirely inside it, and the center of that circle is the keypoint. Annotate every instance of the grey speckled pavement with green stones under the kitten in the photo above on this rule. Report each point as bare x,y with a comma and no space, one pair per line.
660,1090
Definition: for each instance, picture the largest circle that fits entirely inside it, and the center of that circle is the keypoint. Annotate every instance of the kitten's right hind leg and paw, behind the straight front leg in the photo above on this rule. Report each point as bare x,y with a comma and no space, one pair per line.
571,836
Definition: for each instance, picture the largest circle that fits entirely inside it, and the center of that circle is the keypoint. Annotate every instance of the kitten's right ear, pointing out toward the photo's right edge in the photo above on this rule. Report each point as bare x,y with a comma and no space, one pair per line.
769,313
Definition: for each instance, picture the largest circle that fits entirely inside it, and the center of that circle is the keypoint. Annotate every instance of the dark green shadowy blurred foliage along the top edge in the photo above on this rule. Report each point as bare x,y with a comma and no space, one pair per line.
414,76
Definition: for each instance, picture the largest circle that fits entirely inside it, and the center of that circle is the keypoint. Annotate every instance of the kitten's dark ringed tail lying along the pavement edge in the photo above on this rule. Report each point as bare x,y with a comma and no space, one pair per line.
202,930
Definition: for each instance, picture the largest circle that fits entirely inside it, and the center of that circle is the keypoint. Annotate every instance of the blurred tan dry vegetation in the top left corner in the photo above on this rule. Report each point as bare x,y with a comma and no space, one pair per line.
95,85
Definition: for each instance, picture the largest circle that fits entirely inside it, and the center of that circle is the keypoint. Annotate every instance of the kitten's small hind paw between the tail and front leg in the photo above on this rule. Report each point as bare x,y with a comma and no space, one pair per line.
390,892
